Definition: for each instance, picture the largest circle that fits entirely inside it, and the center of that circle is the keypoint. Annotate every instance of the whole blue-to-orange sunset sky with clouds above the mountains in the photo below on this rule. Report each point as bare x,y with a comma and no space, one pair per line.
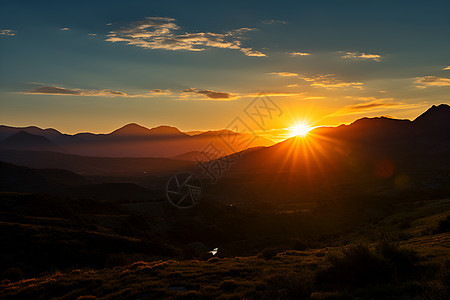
95,66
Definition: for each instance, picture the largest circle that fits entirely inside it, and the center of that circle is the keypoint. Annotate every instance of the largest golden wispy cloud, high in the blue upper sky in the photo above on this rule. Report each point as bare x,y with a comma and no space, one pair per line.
164,33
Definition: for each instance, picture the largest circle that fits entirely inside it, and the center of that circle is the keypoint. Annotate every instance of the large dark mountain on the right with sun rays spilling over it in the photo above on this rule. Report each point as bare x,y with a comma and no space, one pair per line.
368,157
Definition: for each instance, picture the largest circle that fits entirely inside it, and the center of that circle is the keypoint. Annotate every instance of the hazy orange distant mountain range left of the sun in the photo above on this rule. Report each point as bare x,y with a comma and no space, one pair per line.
131,140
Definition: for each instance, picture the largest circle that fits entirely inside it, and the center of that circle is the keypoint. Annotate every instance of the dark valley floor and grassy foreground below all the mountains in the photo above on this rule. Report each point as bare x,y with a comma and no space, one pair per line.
54,248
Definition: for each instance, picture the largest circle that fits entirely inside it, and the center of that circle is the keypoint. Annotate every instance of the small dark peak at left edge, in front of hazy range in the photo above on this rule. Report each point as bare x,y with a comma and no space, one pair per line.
23,140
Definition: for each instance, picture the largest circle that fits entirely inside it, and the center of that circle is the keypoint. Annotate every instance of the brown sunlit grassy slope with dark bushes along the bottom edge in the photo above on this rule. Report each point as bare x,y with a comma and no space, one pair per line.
382,270
